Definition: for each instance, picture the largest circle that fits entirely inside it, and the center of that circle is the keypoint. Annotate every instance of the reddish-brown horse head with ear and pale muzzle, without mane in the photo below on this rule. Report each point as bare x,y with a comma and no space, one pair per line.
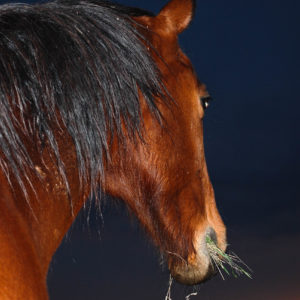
164,178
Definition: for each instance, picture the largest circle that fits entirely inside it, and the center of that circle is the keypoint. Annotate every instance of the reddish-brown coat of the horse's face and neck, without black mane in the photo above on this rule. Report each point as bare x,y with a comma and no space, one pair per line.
163,179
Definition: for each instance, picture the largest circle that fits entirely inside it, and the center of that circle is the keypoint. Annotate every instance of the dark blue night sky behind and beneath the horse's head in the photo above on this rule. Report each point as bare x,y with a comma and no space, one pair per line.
247,53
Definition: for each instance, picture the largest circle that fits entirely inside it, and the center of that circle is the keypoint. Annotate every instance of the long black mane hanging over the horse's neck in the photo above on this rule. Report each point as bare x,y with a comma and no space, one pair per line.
77,63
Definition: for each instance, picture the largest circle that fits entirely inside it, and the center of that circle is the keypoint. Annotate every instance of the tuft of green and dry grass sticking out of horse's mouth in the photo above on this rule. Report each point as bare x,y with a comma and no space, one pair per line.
220,259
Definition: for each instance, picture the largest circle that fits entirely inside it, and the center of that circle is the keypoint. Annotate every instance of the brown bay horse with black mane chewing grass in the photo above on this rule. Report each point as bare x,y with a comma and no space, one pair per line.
99,96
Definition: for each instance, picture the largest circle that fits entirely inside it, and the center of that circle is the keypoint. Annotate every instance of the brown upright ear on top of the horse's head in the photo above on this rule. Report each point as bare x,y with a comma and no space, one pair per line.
178,14
